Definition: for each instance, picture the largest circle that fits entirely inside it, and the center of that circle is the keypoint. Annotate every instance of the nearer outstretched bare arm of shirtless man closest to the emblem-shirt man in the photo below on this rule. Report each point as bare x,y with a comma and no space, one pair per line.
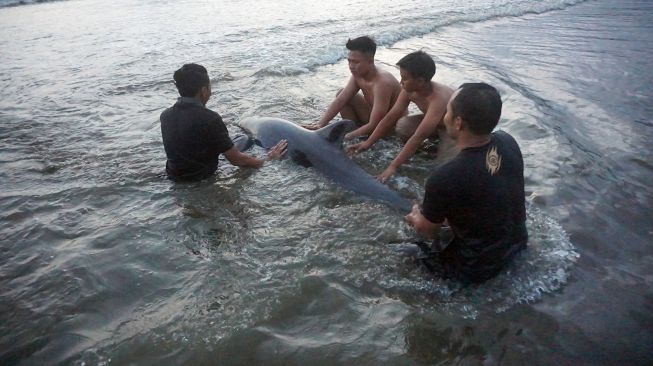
426,128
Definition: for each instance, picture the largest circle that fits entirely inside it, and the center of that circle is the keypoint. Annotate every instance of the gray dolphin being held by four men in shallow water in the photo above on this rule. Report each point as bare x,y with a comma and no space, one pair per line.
322,150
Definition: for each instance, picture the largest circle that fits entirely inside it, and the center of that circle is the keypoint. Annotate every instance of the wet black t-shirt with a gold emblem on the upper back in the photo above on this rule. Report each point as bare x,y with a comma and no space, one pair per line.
481,194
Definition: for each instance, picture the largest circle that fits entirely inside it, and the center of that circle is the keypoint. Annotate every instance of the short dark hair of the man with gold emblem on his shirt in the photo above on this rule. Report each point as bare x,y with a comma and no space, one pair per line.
479,106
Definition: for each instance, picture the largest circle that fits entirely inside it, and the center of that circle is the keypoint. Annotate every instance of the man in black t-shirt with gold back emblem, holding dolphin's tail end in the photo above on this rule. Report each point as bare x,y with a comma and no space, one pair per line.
480,193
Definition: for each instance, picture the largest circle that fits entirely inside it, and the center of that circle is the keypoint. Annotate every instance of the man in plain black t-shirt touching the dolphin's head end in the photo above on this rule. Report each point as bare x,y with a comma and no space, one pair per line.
194,136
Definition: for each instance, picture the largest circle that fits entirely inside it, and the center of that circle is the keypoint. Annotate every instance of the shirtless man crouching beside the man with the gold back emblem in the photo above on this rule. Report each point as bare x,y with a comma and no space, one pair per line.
416,70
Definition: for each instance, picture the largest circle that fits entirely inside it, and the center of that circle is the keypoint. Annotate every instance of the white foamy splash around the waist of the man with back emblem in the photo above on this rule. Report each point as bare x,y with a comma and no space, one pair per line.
542,268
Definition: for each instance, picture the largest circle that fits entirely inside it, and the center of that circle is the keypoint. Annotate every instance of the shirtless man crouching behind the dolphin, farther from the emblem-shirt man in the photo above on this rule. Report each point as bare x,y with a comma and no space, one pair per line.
380,91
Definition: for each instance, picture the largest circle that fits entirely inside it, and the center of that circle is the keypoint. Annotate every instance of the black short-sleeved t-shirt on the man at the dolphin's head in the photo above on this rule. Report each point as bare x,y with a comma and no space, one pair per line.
193,138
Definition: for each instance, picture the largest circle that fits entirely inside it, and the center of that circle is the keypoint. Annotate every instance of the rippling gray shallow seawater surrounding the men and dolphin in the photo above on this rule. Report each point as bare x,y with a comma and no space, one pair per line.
104,261
